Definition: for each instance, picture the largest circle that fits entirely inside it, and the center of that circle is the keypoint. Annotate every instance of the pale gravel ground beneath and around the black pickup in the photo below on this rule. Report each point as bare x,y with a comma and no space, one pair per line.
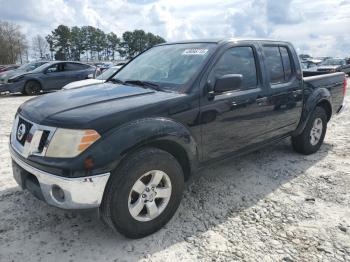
271,205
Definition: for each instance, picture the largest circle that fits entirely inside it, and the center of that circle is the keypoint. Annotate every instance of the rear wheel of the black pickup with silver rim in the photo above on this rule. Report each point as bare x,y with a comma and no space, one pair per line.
311,139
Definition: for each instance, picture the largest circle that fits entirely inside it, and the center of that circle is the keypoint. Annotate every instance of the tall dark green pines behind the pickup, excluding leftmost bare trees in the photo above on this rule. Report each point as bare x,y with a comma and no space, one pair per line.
91,43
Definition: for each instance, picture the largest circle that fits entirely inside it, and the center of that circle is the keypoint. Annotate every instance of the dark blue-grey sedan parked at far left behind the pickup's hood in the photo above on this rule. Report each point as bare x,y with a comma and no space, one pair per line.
48,77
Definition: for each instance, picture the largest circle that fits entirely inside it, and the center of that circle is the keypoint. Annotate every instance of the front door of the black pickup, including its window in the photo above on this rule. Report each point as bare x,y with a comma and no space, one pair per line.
235,119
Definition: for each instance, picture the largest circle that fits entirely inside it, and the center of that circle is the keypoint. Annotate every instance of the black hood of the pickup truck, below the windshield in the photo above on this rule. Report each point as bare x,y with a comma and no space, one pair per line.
96,107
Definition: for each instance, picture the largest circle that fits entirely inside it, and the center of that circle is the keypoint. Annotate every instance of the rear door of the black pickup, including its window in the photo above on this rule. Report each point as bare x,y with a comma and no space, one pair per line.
284,99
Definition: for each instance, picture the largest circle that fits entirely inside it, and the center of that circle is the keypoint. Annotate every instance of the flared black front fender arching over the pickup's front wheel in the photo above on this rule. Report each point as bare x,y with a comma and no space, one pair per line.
118,142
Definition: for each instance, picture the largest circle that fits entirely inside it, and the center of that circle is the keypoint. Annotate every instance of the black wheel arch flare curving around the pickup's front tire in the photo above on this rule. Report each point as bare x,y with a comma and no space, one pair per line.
165,134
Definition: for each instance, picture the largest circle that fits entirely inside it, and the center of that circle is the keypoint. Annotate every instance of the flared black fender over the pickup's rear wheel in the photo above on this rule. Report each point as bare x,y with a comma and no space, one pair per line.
313,98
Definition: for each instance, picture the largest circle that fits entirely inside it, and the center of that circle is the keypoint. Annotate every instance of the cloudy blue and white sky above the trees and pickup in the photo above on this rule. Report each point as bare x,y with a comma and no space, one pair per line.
315,27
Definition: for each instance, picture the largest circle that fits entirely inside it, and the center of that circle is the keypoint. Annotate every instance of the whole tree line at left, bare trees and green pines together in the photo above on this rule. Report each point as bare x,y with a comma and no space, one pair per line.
85,43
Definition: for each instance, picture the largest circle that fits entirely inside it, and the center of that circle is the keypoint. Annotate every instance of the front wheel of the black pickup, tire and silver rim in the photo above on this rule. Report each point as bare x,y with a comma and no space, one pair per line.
119,197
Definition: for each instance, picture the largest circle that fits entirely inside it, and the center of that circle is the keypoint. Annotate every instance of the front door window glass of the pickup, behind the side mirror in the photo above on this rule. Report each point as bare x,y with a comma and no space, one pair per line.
237,60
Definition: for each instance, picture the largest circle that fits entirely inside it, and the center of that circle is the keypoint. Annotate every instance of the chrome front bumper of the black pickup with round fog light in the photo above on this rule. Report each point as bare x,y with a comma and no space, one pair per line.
62,192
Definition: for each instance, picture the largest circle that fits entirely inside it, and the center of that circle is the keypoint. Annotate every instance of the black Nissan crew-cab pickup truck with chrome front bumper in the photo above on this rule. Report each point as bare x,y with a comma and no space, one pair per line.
127,146
